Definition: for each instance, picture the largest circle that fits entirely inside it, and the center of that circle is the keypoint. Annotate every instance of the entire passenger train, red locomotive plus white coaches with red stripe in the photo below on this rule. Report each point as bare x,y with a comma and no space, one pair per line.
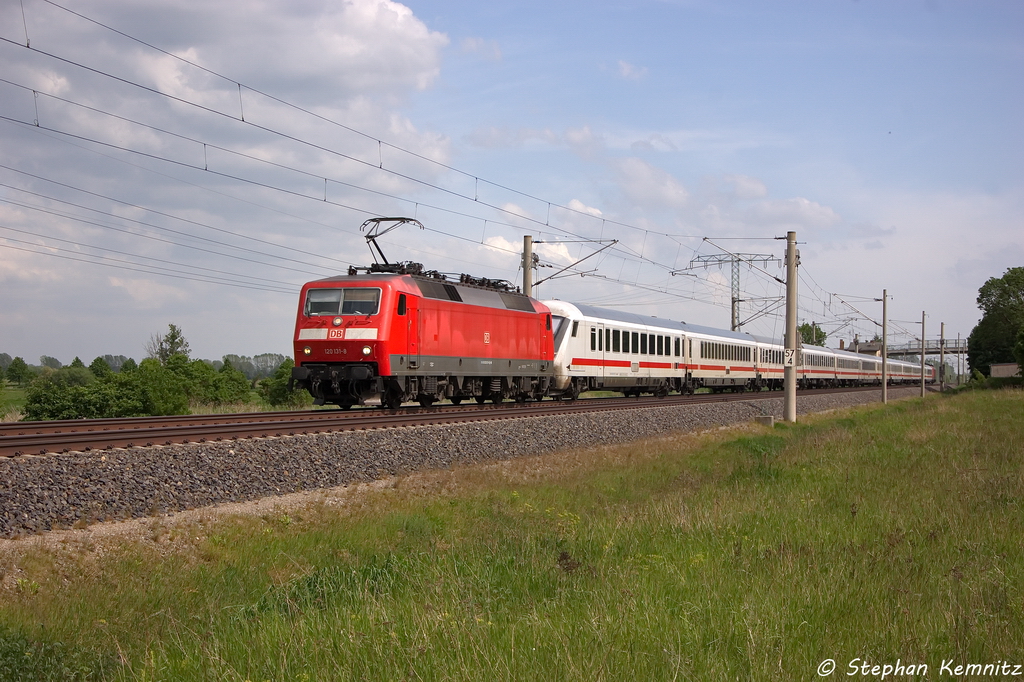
398,333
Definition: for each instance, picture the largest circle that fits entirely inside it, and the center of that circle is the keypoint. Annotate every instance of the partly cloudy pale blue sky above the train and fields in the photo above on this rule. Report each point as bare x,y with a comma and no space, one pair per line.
194,163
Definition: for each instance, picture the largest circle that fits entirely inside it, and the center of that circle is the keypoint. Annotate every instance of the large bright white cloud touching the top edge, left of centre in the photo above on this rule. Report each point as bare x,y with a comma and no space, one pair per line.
330,52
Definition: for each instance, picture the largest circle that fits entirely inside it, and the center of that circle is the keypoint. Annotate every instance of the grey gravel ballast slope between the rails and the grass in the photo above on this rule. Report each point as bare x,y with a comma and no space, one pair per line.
59,491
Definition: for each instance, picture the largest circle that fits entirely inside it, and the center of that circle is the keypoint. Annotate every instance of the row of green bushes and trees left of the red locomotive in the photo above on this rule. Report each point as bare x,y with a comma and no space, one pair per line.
167,382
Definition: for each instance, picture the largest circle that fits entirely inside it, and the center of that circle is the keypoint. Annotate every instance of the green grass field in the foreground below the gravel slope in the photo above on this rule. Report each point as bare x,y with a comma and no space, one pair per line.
882,535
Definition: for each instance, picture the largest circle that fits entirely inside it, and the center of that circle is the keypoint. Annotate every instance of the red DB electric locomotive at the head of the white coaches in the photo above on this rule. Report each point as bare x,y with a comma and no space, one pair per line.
399,333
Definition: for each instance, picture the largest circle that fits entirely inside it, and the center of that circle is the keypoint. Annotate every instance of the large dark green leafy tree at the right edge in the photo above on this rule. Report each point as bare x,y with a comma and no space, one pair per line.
994,338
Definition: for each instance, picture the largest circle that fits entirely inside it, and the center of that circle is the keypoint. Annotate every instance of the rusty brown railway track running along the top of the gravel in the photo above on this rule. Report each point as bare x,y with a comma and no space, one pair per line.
22,439
